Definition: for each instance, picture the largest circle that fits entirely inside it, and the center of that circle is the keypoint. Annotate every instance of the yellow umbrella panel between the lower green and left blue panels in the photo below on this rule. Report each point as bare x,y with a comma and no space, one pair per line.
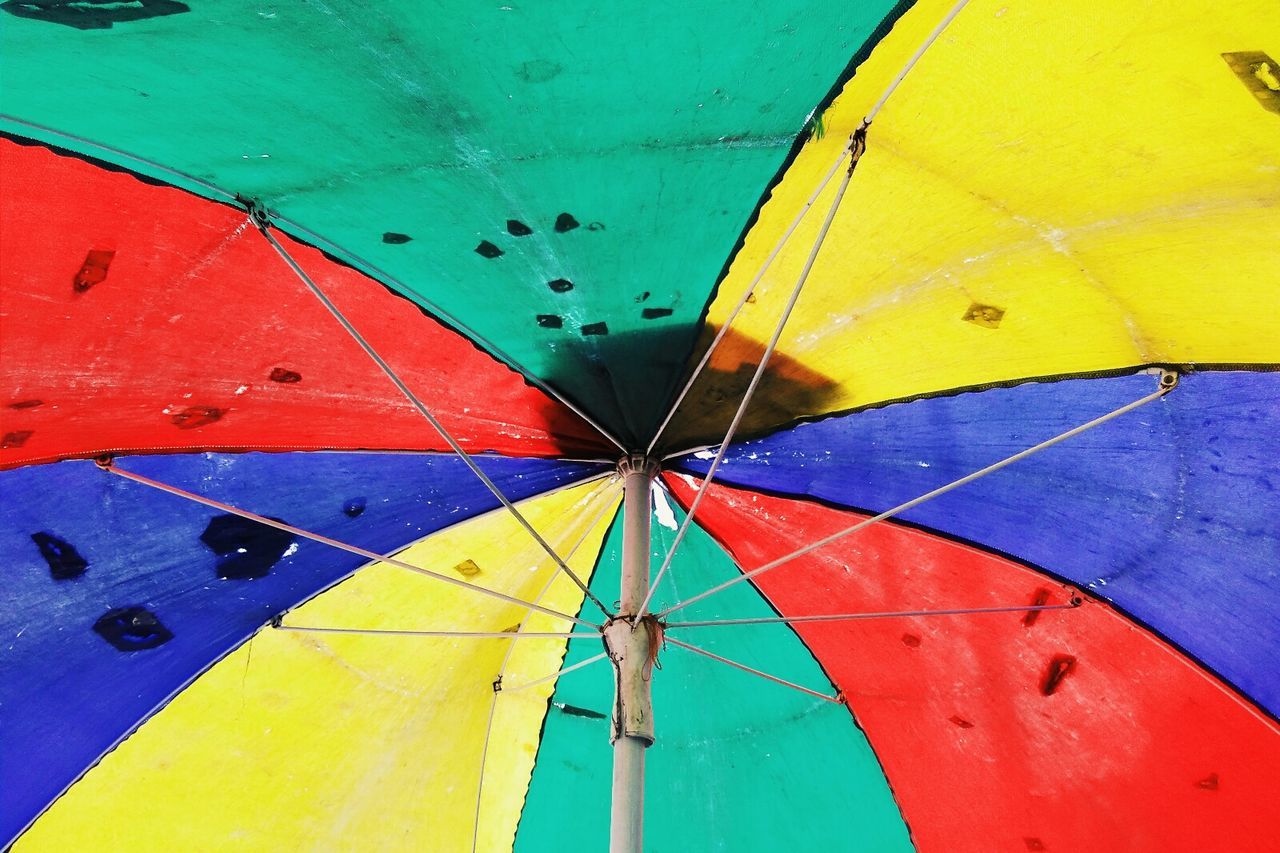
303,741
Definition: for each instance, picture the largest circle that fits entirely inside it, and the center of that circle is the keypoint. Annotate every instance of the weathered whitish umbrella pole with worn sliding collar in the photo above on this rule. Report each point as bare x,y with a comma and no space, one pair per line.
629,645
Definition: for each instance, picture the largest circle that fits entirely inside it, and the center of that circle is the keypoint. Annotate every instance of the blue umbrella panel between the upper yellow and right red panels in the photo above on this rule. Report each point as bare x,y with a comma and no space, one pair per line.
1172,512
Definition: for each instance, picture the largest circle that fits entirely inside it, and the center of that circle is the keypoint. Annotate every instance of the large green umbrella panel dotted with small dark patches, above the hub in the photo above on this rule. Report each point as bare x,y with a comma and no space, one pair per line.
607,154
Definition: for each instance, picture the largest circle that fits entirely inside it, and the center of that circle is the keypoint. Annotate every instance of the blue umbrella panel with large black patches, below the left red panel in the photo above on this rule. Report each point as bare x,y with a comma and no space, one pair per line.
121,595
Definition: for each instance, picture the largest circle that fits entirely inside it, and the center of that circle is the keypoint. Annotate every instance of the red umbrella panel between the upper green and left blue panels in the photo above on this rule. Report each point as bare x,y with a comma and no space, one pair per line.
141,320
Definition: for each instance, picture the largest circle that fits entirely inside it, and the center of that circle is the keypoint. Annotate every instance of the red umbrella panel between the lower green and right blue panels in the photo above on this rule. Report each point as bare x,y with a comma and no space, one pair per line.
1057,731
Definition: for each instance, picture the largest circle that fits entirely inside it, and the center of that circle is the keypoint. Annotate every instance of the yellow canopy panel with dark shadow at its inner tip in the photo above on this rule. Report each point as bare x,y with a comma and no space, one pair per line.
1046,194
